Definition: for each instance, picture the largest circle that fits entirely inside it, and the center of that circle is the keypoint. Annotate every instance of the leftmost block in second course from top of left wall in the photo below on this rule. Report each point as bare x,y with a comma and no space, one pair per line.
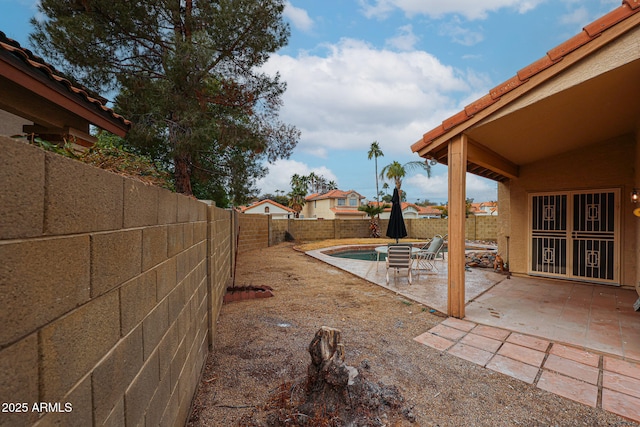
51,275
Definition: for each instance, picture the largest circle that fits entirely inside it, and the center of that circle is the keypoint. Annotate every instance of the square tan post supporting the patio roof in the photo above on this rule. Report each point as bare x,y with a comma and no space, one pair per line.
457,208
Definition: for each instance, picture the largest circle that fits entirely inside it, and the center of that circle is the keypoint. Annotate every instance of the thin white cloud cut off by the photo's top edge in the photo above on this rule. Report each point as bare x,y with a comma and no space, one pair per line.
470,9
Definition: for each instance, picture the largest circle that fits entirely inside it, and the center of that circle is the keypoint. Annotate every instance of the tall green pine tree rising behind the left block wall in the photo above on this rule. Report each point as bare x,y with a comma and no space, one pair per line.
186,73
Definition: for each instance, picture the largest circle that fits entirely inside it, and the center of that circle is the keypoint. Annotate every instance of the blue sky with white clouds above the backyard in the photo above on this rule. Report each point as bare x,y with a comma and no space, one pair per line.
360,71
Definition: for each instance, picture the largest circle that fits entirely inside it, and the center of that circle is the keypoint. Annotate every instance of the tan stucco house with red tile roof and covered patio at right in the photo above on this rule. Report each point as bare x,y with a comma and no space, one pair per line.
562,139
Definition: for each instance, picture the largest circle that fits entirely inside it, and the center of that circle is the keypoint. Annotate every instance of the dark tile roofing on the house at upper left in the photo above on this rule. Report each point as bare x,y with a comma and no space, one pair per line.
31,62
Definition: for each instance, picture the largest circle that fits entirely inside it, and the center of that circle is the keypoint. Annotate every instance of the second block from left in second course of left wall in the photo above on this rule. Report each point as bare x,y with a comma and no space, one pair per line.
115,258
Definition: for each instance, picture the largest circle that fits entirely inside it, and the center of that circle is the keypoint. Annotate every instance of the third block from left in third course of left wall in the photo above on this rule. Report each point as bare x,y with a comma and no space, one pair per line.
137,299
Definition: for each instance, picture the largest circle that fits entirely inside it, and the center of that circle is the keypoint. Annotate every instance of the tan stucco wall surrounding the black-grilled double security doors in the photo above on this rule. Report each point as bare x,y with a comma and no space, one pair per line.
615,163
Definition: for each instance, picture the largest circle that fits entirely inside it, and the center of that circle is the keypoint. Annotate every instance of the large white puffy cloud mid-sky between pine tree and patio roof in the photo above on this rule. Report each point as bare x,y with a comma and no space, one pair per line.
357,94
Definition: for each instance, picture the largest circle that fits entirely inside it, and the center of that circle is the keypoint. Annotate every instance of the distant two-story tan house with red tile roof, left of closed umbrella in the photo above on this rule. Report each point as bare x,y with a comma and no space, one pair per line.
334,204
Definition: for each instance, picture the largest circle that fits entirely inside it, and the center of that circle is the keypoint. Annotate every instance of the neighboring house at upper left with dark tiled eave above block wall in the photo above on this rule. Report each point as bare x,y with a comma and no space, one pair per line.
36,99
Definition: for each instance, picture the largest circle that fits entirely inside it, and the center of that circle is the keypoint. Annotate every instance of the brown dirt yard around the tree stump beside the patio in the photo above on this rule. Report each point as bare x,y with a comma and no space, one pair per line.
261,346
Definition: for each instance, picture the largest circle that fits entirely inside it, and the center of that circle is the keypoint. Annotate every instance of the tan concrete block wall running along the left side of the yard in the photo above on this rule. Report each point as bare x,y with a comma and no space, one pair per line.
108,292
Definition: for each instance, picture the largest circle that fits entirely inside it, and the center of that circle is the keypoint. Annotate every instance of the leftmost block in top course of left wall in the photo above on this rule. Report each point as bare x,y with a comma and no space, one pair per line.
22,190
